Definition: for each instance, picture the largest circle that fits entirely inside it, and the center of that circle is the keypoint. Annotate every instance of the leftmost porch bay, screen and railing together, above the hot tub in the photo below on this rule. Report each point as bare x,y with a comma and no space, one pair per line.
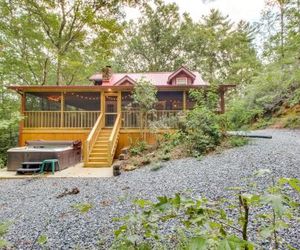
42,110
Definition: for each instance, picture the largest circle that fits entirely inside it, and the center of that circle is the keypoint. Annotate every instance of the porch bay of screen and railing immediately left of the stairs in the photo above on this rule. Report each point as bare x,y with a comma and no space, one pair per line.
81,109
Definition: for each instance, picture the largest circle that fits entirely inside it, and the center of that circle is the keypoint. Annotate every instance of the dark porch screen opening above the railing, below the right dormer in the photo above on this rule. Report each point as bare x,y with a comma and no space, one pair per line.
170,100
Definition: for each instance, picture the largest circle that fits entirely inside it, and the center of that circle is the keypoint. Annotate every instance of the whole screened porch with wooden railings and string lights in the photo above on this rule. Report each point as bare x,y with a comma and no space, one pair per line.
81,109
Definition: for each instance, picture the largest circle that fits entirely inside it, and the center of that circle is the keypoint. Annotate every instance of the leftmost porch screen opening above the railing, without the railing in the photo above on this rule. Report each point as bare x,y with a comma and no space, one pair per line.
43,101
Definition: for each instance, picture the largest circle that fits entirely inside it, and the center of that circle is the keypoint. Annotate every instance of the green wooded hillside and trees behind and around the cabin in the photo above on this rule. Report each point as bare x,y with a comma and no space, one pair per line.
63,42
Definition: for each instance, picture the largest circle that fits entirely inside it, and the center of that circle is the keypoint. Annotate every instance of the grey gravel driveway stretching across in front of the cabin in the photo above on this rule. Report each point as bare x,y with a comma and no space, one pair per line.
32,207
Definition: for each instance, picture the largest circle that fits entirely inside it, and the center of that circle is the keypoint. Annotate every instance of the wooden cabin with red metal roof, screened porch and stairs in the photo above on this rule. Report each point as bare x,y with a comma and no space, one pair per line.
98,114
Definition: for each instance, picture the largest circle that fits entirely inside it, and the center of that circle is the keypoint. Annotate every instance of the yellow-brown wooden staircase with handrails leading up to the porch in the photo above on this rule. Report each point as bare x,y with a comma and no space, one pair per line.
101,144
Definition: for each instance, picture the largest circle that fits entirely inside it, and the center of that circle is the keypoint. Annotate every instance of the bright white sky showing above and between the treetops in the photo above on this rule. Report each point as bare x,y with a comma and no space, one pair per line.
248,10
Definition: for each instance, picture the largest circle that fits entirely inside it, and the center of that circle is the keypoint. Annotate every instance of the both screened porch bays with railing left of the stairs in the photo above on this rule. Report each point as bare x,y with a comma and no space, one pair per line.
44,110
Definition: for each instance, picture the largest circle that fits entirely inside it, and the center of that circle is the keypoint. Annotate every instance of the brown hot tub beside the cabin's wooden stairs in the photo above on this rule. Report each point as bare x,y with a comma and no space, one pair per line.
68,153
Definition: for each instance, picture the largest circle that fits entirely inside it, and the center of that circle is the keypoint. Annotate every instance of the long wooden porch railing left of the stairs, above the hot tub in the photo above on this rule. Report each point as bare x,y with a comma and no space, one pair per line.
58,119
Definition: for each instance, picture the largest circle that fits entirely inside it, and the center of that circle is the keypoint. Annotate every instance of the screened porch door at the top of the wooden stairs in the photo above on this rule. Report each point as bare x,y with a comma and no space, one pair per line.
111,109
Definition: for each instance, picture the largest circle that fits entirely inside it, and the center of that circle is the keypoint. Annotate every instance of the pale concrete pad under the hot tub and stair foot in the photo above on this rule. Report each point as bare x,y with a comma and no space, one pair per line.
77,171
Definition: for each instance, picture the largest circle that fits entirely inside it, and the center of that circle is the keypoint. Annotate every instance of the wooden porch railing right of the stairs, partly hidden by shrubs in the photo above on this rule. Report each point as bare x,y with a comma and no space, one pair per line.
166,118
